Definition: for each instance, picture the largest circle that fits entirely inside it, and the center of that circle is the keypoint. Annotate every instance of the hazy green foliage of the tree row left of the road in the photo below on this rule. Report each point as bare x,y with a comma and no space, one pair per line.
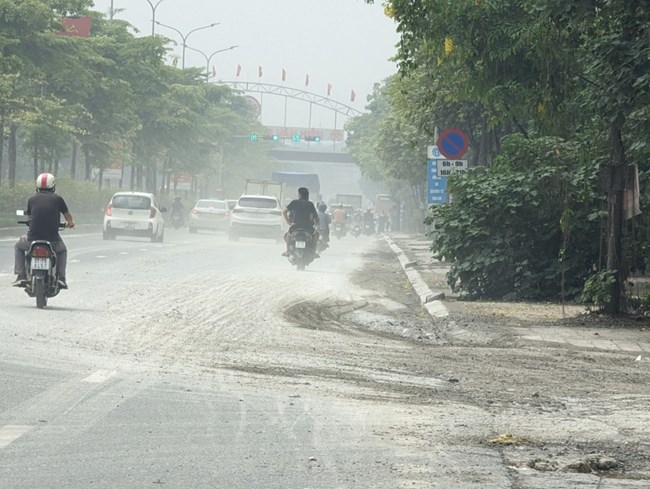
113,97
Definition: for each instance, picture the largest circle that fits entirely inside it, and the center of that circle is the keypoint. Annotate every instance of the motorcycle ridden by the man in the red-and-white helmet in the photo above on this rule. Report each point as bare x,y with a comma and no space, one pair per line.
40,270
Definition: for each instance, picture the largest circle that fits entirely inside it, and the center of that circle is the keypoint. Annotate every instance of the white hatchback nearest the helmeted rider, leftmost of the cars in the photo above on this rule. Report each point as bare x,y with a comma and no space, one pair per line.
134,214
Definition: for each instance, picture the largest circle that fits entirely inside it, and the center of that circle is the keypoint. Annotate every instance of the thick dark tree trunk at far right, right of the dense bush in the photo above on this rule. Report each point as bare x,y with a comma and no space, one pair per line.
615,253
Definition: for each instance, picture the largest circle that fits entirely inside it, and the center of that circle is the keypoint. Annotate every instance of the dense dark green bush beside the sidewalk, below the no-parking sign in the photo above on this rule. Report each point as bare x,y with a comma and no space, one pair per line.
513,228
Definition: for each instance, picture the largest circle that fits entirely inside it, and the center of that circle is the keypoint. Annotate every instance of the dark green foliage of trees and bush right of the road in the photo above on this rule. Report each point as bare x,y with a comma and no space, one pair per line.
576,72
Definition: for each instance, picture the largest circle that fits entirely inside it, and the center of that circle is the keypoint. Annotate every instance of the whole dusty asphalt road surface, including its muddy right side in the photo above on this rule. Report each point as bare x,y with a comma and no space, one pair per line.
204,363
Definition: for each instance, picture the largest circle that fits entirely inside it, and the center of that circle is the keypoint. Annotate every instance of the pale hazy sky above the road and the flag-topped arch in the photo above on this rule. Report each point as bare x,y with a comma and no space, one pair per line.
343,43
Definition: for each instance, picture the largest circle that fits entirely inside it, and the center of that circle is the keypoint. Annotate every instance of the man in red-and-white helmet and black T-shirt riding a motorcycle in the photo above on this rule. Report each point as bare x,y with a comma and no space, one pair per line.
44,210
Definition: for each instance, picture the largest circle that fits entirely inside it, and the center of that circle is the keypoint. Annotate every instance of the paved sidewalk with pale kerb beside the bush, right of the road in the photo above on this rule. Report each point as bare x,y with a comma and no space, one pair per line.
473,321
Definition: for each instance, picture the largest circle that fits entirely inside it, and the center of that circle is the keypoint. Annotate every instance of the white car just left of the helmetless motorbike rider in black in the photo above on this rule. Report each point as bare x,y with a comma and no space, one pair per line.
257,216
